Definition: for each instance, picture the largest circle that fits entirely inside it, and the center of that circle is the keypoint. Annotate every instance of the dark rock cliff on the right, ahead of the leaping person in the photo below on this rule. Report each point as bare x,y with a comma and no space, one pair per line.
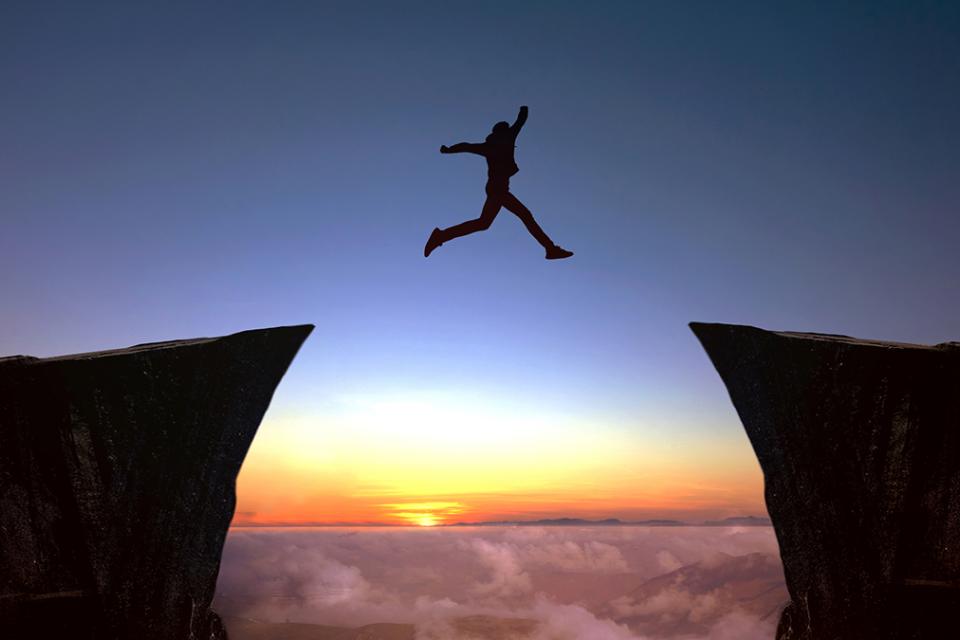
859,443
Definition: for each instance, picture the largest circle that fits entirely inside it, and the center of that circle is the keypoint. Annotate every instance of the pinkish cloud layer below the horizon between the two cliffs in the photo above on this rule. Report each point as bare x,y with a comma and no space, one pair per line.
558,583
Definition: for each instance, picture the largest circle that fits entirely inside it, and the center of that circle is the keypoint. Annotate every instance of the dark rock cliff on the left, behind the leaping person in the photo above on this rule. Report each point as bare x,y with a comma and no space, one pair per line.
117,482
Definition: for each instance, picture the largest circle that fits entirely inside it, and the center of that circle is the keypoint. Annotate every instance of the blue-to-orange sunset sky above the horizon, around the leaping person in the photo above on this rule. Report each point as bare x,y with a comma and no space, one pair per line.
186,169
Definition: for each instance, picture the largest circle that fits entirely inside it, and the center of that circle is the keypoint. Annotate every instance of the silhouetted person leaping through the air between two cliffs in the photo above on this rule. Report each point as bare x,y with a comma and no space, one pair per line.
498,150
